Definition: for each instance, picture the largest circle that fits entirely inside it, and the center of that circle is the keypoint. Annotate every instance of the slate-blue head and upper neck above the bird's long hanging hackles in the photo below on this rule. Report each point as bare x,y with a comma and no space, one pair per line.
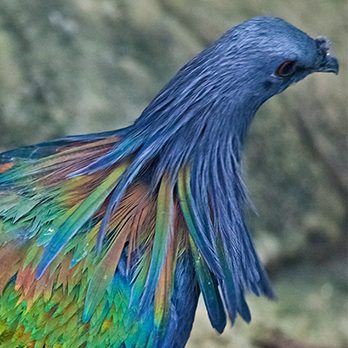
228,81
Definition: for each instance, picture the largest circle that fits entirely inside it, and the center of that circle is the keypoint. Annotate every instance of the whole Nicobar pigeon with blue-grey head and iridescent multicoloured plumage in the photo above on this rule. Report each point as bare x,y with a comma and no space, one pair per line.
108,239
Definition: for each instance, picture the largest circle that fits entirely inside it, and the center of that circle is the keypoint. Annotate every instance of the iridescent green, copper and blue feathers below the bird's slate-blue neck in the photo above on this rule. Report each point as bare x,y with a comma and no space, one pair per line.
60,281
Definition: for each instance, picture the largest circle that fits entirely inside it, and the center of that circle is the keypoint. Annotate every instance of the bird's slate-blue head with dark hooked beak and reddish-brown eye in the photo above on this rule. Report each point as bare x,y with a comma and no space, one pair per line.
265,55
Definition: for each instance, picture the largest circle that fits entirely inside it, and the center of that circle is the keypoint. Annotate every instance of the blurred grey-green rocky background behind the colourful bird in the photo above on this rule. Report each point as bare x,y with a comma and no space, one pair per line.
76,66
